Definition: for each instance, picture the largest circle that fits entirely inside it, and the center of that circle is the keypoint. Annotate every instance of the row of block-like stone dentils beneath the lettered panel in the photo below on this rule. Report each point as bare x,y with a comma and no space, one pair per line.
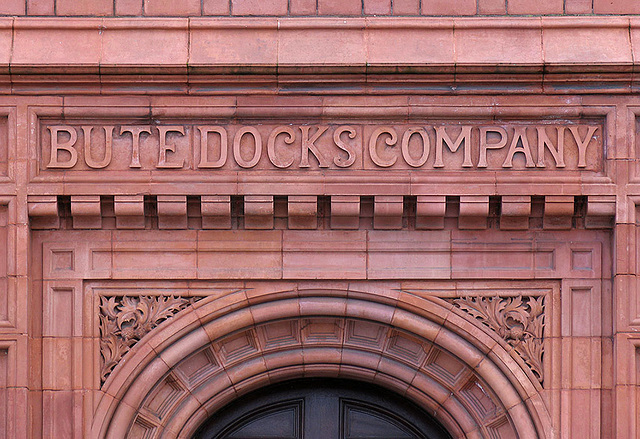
305,212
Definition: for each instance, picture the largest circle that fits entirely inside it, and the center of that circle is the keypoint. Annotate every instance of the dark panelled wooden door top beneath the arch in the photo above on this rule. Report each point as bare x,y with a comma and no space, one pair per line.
321,409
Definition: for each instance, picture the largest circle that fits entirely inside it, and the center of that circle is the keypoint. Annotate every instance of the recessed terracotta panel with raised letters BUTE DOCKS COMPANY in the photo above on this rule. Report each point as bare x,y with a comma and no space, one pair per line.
416,146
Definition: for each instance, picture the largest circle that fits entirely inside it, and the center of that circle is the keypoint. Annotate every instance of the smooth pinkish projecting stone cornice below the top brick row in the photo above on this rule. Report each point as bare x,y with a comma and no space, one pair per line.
270,45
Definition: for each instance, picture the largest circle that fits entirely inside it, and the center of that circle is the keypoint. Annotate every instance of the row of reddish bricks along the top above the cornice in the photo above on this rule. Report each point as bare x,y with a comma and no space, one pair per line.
195,8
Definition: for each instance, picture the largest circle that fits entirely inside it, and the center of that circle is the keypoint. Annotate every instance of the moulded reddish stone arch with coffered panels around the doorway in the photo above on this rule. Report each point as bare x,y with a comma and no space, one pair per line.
222,347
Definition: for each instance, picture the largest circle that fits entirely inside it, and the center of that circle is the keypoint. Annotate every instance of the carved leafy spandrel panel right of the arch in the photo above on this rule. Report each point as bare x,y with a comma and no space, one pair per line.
518,320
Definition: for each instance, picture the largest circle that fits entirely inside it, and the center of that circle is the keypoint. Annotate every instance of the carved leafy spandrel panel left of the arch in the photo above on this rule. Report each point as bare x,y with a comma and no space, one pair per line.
124,320
